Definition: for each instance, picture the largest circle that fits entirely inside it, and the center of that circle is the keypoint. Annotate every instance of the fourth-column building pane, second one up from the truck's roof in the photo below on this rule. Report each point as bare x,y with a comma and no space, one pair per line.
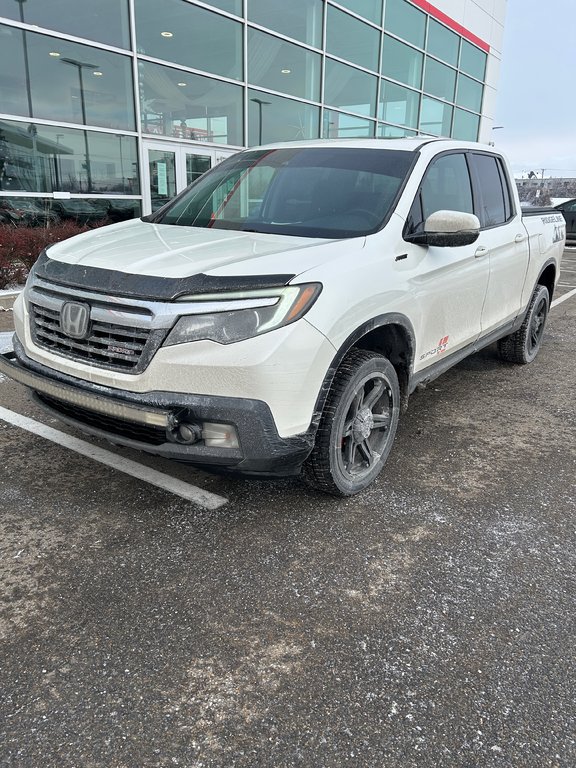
349,88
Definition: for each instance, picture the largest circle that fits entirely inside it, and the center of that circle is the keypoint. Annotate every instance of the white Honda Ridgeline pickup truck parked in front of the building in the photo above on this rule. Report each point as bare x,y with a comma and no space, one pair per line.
275,317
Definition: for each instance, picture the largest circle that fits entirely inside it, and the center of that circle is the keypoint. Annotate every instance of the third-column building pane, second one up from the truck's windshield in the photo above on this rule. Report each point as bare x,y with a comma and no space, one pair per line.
282,66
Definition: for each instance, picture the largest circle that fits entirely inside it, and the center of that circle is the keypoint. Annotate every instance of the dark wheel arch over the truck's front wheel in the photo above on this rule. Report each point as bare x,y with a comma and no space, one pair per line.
391,335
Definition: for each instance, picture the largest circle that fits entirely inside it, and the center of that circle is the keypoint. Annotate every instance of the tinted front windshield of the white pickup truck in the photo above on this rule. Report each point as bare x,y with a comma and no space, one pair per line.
331,192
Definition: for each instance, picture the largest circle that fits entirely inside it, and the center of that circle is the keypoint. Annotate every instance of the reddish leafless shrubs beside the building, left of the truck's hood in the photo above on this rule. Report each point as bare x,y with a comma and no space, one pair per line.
21,246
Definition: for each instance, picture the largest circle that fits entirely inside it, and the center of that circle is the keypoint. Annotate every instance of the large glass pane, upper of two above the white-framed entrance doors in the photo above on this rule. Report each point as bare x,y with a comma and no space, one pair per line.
179,32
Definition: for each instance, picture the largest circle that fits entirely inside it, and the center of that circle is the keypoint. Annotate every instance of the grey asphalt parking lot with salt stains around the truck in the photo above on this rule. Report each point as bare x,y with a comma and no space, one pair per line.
430,621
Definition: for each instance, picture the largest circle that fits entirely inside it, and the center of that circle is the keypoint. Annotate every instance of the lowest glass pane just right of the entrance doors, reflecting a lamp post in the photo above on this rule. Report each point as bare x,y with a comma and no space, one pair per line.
279,119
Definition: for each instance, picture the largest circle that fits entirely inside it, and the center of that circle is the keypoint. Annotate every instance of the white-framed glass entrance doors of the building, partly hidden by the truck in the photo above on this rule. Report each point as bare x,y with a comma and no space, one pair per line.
169,168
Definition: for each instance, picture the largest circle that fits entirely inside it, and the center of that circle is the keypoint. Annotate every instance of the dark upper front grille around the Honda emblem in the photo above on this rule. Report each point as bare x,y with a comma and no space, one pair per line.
111,346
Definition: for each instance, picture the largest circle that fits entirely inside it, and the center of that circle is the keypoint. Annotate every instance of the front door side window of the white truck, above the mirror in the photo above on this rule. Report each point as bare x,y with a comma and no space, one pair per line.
446,186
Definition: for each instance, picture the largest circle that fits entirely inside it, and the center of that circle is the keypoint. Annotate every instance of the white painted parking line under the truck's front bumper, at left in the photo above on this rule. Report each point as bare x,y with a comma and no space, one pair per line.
146,474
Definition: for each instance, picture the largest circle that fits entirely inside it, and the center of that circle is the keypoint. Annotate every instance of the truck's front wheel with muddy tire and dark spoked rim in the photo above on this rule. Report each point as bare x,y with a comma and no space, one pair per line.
357,427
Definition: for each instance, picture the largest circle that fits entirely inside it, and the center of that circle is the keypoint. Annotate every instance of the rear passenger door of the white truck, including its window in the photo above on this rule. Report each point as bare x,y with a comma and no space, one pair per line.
504,237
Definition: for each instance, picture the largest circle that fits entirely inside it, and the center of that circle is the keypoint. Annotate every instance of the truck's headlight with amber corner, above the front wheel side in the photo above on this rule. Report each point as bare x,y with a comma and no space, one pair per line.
226,318
